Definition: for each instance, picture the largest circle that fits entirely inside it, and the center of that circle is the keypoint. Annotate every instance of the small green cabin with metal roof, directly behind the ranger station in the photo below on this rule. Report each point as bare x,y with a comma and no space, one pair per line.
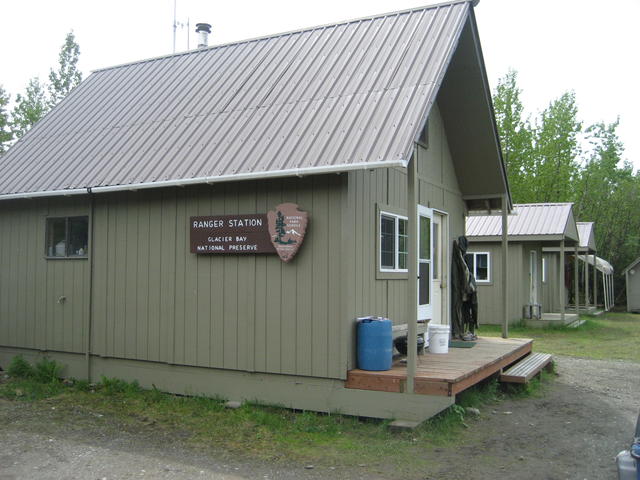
535,283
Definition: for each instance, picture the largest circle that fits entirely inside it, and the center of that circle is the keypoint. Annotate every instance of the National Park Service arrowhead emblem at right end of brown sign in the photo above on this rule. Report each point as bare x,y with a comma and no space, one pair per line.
287,226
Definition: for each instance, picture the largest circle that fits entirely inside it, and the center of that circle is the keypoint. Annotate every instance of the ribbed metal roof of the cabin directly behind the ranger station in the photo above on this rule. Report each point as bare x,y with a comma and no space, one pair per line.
549,221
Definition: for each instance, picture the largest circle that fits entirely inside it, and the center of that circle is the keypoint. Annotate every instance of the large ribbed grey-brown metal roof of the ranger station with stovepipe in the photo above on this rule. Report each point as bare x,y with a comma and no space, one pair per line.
332,98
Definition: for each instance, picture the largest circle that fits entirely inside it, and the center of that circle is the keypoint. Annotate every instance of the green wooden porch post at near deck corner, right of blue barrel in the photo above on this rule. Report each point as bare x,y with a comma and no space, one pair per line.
412,281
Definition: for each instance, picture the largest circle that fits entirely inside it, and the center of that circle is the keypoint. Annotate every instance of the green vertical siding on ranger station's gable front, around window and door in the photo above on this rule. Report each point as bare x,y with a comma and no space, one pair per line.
368,190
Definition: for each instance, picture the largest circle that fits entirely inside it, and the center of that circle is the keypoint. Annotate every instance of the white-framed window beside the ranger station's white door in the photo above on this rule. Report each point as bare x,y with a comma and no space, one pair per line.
394,246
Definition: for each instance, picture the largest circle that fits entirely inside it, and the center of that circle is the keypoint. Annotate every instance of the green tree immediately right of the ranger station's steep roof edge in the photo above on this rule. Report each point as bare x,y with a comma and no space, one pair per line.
515,136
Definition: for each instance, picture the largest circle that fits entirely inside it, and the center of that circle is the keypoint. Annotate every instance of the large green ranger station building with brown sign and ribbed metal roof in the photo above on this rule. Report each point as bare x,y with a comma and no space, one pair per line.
122,253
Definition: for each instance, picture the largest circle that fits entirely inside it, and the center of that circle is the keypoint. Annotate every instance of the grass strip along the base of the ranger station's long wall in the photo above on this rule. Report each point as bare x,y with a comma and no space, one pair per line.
258,432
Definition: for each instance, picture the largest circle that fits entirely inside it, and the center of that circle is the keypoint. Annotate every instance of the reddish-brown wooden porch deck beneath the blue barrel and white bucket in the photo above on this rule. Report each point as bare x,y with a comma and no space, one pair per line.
449,373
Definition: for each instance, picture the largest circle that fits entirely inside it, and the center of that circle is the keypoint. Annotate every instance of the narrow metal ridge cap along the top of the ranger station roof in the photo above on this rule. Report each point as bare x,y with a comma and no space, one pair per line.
281,34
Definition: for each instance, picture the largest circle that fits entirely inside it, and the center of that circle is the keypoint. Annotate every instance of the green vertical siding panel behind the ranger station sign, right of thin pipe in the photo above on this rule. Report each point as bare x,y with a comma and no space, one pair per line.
157,301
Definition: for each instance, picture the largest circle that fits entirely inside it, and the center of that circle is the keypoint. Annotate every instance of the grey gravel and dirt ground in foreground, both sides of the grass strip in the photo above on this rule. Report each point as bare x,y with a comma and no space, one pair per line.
573,431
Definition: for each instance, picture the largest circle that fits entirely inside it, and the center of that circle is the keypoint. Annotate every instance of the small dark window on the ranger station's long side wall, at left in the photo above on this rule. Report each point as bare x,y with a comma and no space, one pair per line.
67,237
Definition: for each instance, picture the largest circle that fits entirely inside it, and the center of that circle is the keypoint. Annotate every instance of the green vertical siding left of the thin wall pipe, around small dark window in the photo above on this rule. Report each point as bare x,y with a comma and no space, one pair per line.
43,303
